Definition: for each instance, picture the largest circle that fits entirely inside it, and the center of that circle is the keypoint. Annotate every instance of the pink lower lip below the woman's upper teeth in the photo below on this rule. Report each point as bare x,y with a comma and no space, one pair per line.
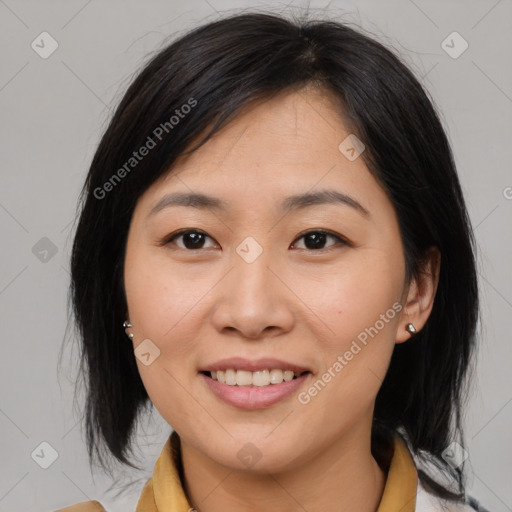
254,397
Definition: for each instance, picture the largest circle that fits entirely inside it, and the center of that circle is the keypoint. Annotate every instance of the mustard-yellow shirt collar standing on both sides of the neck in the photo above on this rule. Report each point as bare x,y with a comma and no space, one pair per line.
164,490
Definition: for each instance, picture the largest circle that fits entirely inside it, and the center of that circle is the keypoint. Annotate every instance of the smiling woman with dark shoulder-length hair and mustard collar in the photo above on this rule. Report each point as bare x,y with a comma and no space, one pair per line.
274,251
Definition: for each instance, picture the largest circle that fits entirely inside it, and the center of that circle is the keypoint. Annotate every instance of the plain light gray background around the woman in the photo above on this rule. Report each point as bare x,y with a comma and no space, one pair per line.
53,112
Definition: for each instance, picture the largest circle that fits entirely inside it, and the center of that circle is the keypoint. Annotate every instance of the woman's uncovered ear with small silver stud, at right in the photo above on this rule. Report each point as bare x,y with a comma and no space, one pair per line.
420,296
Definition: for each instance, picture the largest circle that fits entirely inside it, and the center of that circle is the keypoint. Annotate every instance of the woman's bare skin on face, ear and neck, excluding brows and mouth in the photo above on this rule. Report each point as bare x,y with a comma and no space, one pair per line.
296,303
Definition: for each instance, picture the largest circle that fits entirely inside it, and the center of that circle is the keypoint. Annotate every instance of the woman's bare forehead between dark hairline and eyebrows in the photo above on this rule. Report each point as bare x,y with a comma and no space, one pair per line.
283,146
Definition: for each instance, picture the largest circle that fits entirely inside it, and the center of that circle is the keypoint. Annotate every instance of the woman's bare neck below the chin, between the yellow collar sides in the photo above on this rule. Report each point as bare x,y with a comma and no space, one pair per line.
342,478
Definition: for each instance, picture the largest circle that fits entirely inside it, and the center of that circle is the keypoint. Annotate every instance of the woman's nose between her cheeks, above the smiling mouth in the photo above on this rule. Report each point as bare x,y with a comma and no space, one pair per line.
253,300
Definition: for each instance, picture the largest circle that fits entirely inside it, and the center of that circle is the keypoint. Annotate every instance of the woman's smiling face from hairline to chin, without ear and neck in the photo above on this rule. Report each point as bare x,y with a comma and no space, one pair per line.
263,286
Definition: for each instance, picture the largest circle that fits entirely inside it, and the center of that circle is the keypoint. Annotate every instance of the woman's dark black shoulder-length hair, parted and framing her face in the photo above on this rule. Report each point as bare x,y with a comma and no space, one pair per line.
217,69
